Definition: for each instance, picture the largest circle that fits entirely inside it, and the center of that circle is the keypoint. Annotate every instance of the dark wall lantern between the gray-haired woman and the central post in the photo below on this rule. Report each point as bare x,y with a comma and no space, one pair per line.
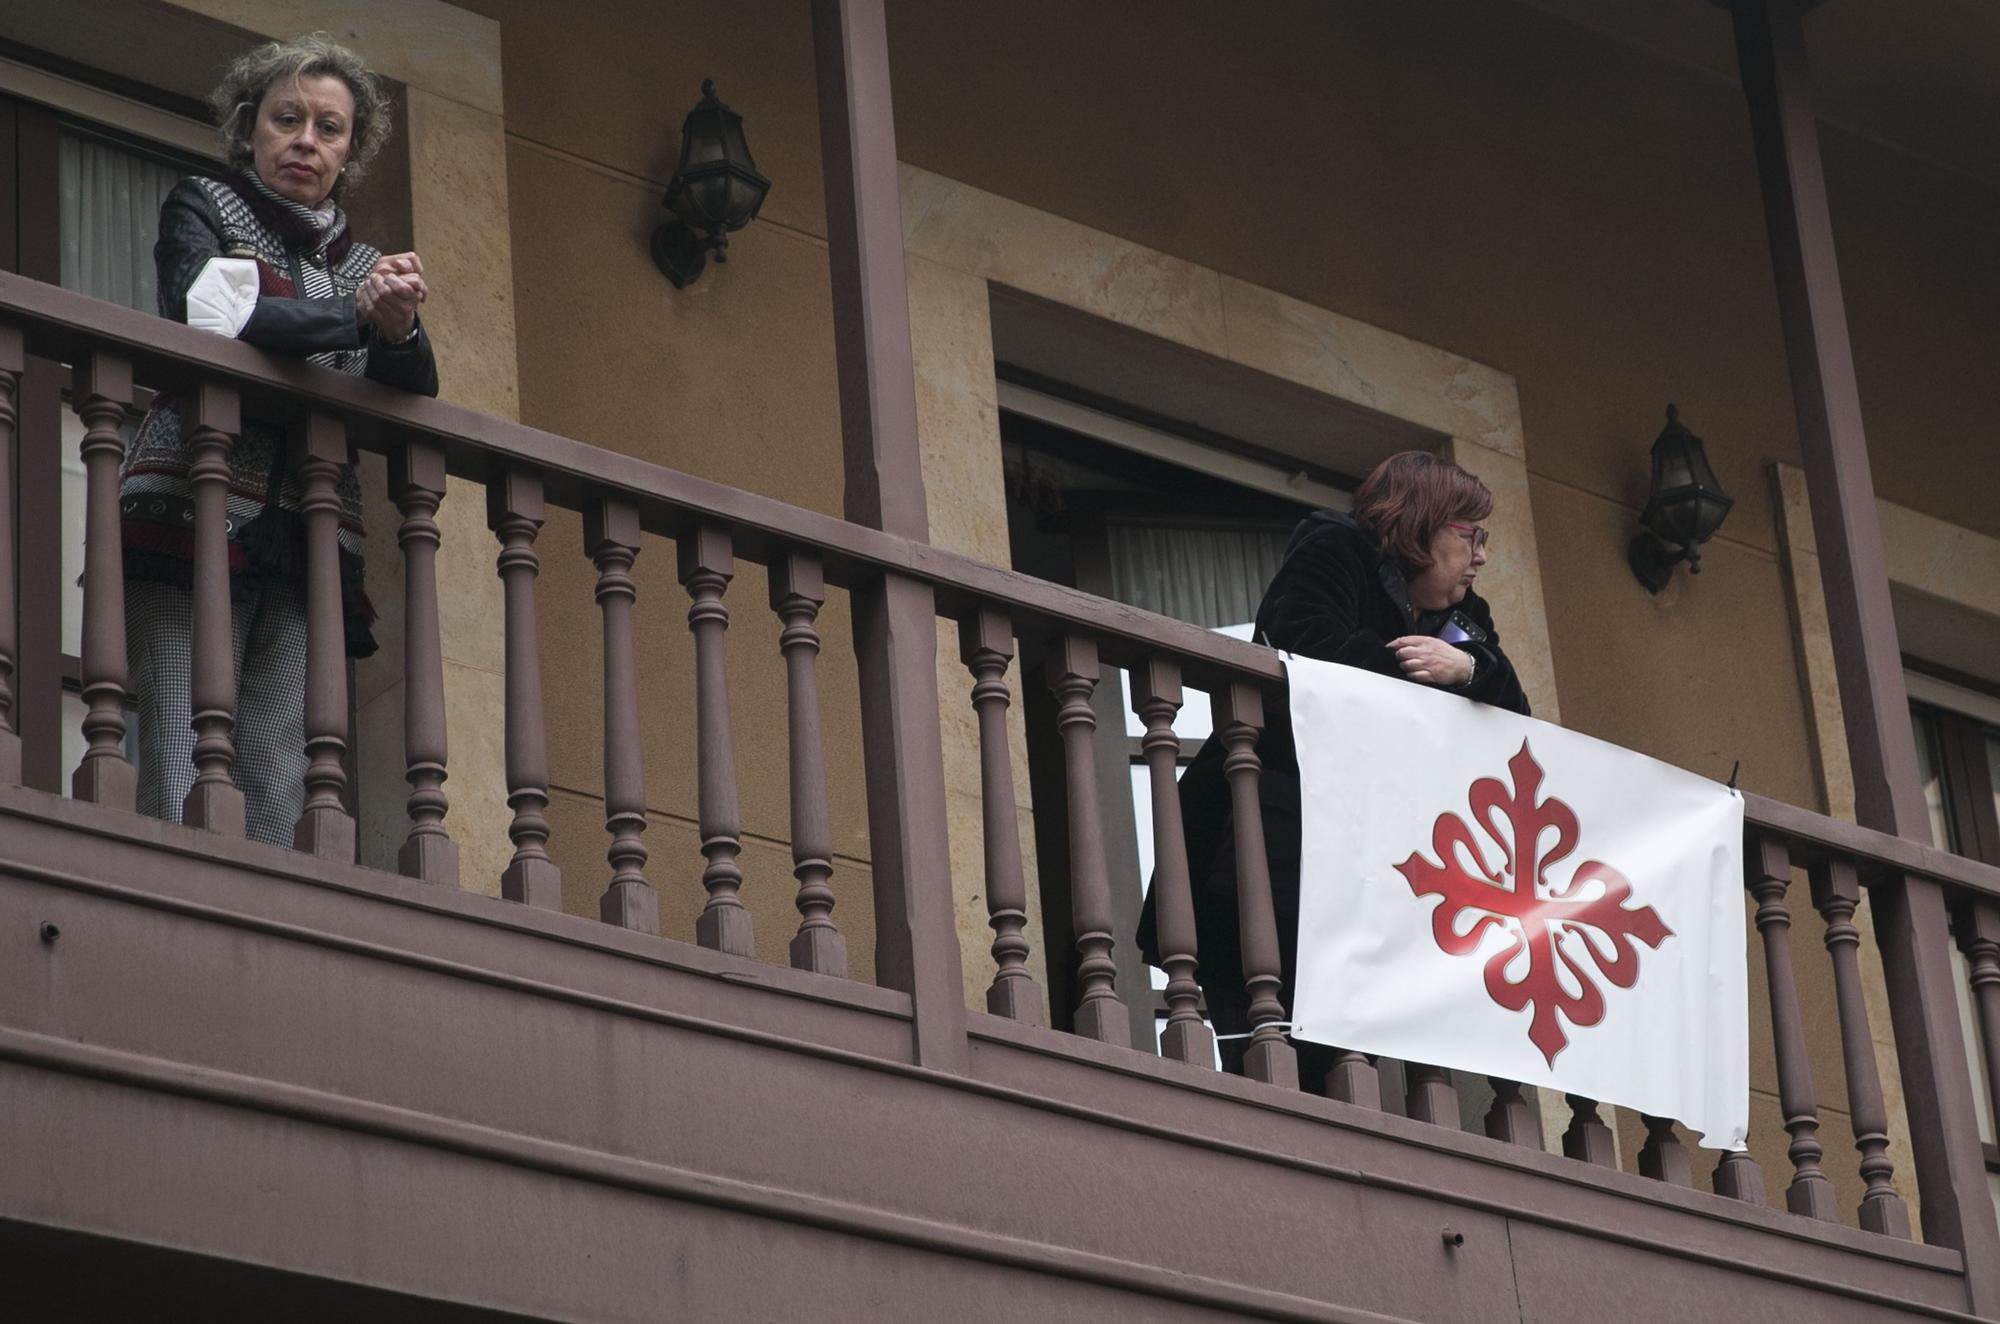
715,191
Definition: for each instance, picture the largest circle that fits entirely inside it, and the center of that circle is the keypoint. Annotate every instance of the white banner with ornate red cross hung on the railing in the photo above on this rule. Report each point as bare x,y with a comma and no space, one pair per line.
1497,895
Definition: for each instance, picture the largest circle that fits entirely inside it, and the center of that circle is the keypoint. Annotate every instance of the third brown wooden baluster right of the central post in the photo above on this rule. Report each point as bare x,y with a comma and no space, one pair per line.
1157,699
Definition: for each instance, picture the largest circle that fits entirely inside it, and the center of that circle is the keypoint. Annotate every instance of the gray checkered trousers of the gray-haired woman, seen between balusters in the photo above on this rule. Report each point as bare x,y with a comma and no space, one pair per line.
269,643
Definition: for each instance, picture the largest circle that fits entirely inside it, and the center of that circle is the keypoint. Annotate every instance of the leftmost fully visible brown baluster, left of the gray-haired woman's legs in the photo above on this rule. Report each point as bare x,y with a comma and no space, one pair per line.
101,393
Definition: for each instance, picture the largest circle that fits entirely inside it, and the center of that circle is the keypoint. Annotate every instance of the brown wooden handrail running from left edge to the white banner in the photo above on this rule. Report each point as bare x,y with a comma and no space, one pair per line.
479,447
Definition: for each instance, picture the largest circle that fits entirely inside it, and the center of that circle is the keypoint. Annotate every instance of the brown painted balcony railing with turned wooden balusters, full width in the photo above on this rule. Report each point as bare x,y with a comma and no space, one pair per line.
625,499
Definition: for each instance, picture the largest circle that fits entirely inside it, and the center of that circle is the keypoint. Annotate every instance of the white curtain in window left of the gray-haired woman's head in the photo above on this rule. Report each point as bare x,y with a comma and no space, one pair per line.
111,217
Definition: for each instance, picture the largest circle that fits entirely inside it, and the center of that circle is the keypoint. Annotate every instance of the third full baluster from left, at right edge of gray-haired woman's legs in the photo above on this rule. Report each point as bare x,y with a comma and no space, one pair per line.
325,827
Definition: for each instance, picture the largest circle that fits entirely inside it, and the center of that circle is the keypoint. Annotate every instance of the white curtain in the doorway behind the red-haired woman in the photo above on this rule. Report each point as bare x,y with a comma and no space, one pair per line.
1209,575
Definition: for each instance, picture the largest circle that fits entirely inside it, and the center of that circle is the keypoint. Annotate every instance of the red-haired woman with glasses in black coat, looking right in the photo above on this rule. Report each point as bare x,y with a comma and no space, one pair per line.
1389,589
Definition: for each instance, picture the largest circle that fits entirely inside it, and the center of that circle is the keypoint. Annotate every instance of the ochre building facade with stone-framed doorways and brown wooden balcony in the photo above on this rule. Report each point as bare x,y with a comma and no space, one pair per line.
1171,277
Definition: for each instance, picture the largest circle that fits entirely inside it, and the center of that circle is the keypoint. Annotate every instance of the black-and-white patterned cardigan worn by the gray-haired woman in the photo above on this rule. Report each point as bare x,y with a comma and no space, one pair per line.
309,269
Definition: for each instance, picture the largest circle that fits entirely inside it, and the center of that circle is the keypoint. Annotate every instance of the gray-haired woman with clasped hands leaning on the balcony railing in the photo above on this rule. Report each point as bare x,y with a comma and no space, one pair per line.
265,257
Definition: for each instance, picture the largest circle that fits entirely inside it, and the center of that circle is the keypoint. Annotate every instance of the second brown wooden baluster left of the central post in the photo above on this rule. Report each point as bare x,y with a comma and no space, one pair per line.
707,567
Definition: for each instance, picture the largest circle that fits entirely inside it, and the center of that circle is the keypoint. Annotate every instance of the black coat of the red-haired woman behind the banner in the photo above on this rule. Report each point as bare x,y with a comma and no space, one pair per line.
1335,601
